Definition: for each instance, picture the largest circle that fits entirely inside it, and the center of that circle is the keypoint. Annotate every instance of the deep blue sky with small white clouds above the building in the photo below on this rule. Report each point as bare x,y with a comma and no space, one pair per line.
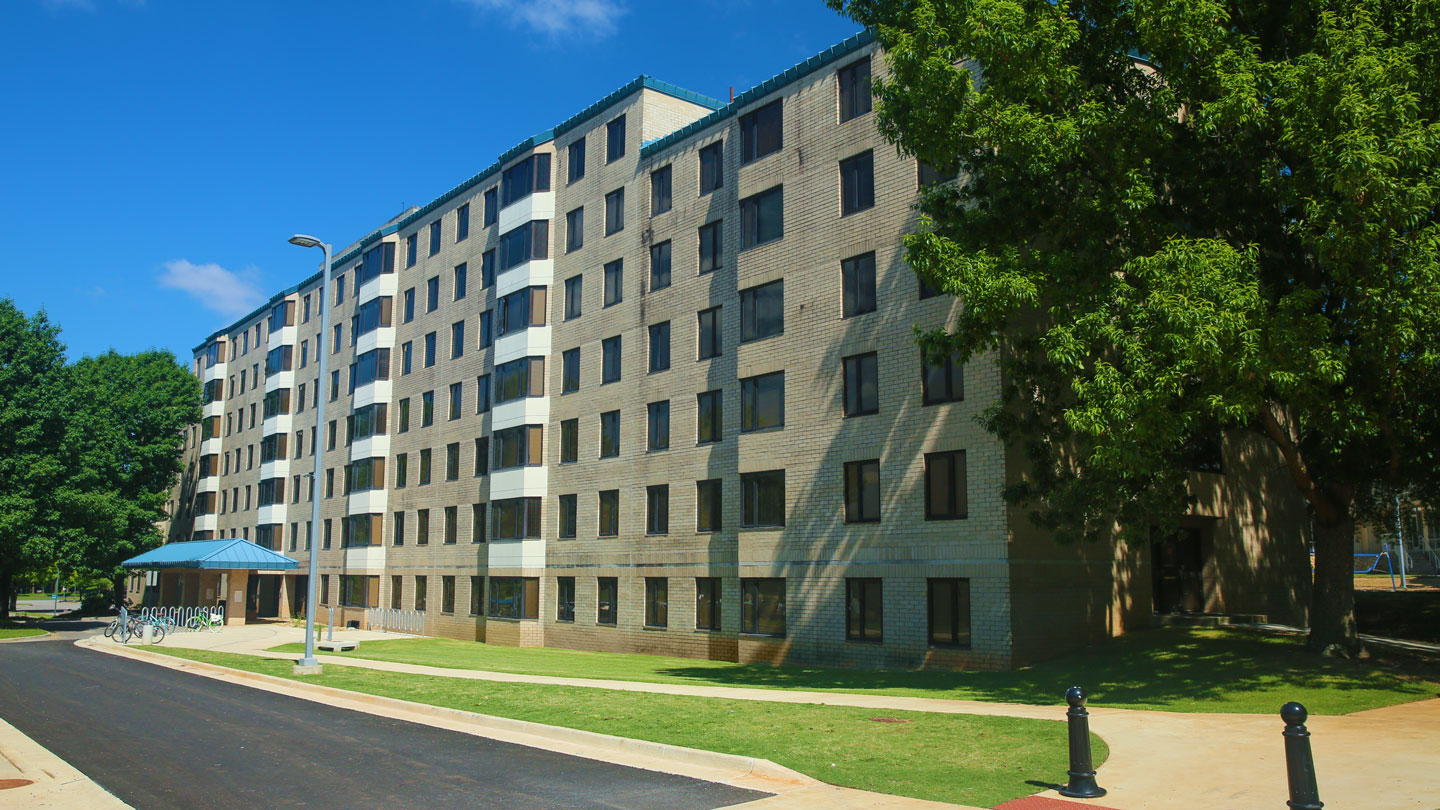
158,153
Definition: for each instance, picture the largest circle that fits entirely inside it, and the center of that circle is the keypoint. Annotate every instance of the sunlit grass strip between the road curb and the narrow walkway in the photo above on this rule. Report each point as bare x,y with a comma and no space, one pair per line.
968,760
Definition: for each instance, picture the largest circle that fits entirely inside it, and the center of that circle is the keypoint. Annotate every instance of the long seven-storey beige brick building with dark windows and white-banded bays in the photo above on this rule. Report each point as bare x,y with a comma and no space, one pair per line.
650,384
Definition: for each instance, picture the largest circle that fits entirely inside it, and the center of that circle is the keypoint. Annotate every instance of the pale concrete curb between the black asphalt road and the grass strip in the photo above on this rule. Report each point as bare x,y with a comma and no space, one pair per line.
711,766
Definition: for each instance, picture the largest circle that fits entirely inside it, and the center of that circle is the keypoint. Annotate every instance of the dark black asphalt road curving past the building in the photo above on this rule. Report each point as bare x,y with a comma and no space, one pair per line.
161,739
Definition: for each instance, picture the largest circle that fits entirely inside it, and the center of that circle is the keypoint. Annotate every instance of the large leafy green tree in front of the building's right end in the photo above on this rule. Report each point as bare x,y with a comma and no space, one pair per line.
1184,215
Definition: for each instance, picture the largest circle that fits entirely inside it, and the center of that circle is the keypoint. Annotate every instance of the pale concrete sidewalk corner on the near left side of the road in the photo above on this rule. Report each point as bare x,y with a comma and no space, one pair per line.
34,778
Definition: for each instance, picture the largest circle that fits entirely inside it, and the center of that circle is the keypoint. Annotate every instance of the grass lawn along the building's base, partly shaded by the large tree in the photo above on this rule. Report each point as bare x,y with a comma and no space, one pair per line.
1171,669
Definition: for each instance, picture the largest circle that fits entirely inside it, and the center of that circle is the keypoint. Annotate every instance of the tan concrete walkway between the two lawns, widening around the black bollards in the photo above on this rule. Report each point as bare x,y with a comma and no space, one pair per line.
1379,760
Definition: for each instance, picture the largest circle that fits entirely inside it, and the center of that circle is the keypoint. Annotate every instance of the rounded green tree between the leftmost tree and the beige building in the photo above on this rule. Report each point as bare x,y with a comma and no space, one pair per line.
125,433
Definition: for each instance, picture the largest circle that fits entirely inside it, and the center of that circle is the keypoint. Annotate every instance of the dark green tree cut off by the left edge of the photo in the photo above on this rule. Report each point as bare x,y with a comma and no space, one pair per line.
32,430
